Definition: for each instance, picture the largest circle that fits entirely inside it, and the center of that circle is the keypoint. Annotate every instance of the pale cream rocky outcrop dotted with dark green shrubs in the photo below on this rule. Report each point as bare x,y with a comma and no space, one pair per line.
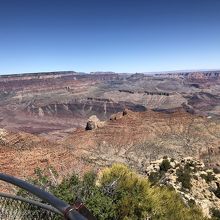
189,177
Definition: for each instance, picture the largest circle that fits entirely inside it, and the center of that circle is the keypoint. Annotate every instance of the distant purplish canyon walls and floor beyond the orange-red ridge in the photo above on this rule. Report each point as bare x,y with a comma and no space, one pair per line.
52,104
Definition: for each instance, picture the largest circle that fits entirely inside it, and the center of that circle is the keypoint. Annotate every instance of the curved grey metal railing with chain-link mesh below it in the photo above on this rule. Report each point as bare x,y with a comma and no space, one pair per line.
19,208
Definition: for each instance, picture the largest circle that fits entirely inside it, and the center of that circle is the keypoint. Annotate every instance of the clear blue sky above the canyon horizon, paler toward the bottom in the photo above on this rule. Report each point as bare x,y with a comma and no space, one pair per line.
109,35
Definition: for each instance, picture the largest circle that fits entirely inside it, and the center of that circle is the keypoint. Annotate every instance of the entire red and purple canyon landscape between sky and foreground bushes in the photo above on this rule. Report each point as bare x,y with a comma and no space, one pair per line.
142,117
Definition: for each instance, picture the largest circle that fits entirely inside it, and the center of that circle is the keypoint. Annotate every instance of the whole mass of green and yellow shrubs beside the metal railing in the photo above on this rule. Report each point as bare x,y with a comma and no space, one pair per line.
119,193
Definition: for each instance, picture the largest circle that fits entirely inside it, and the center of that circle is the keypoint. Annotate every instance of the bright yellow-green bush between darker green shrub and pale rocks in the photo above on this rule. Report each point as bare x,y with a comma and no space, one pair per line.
136,199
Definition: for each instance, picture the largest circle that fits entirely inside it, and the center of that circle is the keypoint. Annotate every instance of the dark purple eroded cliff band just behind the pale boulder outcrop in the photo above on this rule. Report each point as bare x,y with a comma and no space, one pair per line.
82,108
